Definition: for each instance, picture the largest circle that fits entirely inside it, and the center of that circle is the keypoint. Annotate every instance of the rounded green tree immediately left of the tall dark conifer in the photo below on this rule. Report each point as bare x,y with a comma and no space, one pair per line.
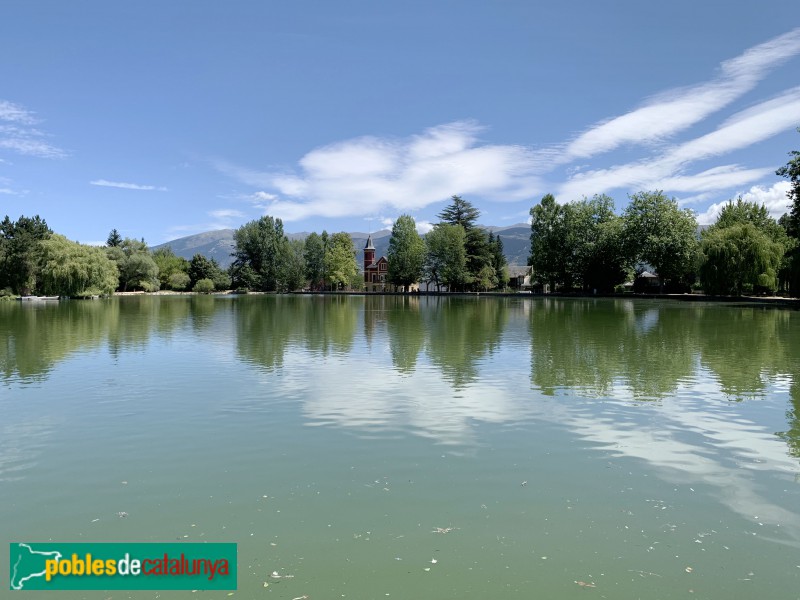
446,257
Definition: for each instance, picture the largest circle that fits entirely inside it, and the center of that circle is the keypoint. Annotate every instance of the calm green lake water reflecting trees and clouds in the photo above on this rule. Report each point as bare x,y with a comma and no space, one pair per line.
413,448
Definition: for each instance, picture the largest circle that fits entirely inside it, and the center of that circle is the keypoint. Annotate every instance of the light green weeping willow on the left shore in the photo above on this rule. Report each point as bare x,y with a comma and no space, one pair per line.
75,270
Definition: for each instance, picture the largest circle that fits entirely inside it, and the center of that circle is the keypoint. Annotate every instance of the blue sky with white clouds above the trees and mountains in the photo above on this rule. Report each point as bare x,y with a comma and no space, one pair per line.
164,119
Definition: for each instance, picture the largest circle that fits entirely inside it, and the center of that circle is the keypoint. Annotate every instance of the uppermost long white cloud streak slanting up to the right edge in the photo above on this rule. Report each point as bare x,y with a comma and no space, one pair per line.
676,110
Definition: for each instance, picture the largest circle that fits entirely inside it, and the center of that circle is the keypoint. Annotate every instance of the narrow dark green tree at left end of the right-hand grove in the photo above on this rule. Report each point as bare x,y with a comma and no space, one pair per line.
547,242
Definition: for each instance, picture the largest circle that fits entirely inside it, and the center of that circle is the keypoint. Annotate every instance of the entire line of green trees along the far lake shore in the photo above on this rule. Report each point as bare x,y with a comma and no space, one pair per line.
581,245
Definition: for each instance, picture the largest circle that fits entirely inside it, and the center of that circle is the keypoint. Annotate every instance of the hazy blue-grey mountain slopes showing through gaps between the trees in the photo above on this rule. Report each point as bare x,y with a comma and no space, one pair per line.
219,244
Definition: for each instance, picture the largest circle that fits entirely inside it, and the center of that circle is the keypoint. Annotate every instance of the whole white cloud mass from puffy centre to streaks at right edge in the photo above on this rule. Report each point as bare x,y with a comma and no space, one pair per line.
407,174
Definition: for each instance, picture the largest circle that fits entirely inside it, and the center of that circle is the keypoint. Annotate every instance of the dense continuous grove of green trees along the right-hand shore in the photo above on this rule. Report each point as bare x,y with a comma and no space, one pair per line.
584,246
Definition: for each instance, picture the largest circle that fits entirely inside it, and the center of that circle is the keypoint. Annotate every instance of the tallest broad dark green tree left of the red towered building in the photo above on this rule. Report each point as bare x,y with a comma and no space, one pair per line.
260,255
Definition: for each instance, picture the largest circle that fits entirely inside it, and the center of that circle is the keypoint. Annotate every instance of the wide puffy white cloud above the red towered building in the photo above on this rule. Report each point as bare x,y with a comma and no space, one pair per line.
398,174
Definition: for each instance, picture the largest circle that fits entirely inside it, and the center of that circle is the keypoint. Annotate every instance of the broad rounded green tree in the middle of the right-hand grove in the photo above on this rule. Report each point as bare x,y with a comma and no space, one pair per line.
659,233
